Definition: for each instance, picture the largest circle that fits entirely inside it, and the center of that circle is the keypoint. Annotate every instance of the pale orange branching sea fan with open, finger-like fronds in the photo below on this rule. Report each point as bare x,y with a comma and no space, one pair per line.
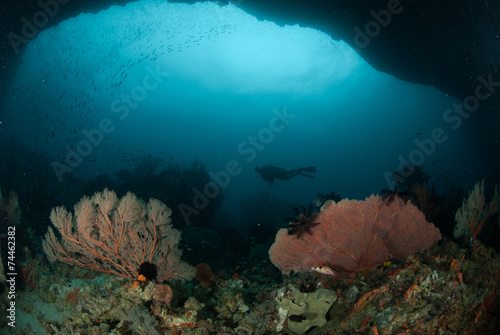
118,236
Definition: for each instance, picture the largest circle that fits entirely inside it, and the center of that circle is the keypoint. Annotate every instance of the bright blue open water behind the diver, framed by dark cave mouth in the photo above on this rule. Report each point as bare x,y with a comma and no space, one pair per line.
213,83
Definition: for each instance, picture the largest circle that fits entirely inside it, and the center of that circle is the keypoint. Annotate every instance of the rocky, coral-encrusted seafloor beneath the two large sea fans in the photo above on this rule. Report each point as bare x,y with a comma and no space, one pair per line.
444,290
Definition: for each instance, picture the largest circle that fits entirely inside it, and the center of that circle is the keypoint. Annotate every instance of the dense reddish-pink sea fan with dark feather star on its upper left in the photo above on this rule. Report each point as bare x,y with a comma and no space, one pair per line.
355,235
